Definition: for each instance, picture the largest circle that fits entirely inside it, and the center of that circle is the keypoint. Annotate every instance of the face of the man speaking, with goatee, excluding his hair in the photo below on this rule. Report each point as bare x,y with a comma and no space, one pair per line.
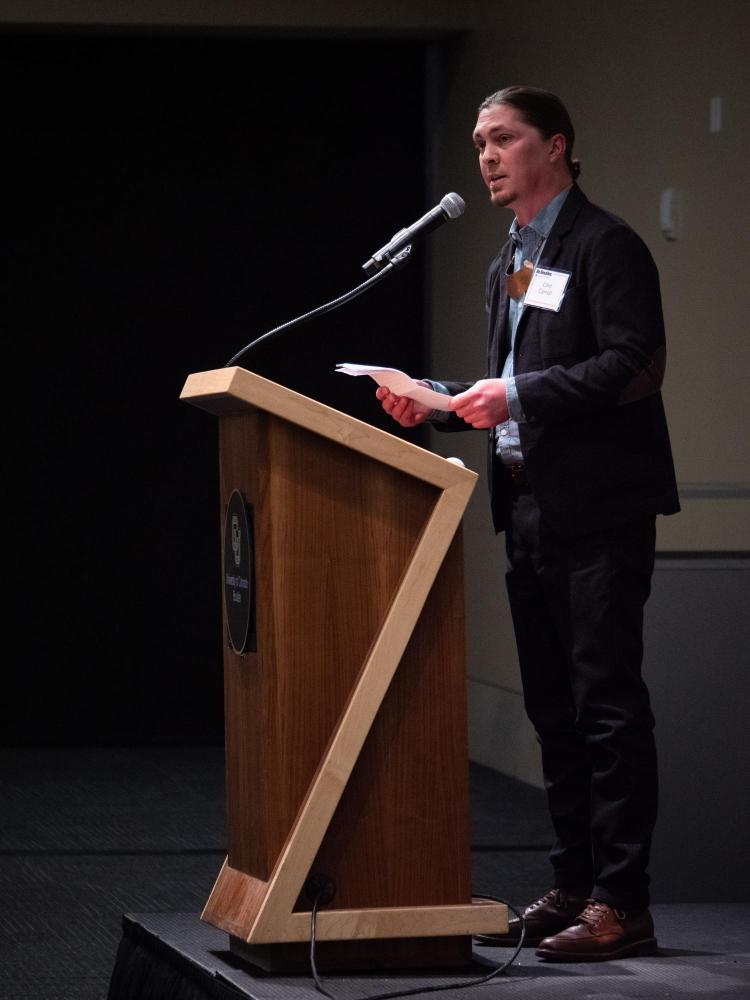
514,159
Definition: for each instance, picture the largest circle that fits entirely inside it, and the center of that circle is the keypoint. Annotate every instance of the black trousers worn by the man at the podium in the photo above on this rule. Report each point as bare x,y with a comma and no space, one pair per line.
577,606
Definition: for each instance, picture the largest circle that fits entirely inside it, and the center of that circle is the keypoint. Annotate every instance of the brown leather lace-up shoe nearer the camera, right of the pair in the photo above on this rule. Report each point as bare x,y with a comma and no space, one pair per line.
601,933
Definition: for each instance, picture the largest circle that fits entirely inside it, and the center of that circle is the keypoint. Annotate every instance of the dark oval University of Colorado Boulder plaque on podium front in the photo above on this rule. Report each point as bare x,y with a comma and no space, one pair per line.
239,582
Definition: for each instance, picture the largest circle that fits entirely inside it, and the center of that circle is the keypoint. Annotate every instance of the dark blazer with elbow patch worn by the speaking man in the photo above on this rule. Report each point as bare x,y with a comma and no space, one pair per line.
595,440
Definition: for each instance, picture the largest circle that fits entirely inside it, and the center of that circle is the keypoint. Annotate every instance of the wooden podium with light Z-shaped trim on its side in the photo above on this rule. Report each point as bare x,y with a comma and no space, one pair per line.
346,736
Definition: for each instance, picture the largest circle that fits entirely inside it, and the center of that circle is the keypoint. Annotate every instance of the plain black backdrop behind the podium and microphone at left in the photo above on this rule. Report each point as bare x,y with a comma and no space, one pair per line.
181,195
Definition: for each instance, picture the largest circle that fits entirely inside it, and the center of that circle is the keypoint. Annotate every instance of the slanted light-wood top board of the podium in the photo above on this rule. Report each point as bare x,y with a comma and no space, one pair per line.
231,391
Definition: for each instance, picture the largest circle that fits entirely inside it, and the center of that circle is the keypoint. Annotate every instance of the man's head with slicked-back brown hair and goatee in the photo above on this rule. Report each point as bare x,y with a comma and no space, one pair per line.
525,141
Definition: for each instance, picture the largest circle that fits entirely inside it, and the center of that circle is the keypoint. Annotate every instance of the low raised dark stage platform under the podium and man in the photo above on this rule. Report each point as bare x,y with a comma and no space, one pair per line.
703,952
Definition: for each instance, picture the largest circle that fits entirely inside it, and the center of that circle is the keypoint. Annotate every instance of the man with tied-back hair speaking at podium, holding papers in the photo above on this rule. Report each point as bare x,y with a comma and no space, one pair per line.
580,465
